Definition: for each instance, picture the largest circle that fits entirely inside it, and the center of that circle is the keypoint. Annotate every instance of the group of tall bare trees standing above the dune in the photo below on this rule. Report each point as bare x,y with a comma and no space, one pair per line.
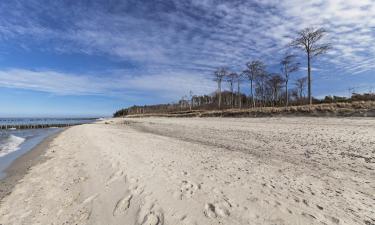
270,89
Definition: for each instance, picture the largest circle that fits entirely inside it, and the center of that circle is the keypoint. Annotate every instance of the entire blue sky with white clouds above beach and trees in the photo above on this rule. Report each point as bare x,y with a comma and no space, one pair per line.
90,58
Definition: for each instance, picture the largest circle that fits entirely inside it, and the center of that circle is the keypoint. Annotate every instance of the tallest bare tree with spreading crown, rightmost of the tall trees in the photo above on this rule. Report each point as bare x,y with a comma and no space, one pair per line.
309,40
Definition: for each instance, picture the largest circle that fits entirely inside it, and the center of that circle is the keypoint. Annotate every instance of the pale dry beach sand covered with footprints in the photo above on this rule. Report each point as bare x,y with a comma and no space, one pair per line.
202,171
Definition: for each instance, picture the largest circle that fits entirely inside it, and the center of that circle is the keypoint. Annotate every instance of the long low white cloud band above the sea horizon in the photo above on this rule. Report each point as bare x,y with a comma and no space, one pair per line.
164,85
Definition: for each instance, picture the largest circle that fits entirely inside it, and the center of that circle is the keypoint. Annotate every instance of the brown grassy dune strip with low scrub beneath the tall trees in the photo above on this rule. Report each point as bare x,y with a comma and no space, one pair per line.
206,106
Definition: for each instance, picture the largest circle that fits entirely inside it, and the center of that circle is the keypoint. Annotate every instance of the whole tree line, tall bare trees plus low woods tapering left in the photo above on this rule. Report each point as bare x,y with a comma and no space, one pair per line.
265,88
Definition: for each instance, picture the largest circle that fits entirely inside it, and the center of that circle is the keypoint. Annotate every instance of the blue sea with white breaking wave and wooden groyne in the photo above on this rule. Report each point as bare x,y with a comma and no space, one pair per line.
16,142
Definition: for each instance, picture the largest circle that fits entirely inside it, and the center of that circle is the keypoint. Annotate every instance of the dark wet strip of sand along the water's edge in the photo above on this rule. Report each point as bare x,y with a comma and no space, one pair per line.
20,166
